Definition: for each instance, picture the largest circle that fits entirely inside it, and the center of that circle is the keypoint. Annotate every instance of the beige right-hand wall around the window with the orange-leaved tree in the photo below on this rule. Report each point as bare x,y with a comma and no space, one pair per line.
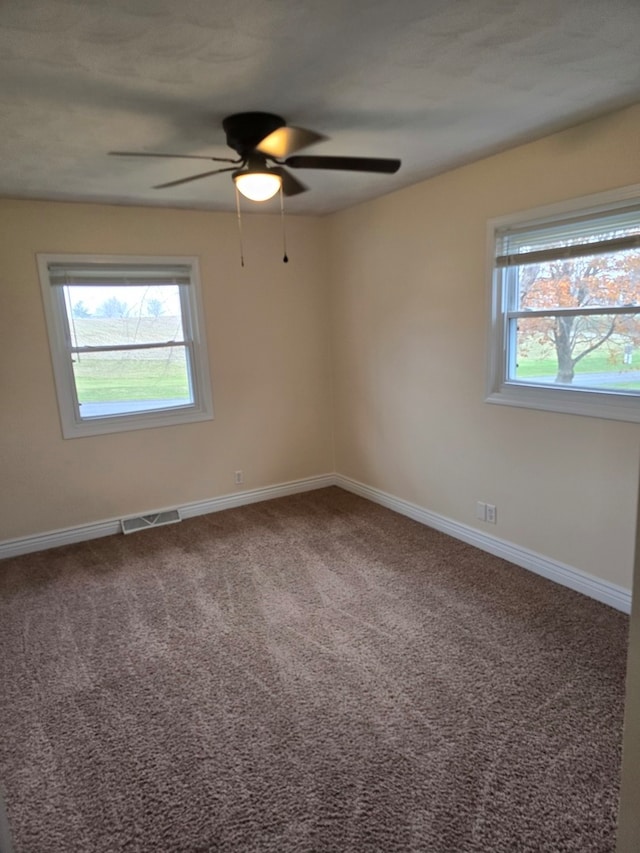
409,309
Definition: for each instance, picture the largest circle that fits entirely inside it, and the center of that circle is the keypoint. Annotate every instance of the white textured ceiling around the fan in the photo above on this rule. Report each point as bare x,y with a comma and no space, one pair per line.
434,82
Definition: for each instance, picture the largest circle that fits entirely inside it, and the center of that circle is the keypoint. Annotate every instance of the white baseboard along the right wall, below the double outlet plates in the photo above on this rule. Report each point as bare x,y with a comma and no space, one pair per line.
604,591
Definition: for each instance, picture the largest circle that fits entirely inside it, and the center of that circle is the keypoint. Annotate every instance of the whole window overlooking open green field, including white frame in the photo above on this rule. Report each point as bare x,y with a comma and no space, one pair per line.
127,342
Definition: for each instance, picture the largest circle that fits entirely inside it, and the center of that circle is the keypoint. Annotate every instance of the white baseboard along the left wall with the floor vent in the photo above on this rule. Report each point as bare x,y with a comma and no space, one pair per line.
84,532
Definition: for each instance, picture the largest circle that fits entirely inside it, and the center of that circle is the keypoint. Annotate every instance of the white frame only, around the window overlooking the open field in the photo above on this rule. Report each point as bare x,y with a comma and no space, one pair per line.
60,343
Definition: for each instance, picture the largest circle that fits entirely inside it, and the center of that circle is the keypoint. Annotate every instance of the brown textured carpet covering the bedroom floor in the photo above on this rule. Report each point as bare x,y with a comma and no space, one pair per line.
314,673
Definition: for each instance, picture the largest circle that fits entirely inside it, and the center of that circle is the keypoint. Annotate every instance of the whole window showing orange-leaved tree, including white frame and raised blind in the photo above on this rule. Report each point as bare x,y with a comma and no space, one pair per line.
565,317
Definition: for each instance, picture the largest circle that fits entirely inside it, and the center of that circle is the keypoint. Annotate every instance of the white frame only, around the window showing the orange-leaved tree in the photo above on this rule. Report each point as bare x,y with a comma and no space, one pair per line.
612,405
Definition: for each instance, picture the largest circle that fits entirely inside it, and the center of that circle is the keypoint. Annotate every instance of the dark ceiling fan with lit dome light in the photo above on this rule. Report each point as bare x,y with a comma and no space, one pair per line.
264,144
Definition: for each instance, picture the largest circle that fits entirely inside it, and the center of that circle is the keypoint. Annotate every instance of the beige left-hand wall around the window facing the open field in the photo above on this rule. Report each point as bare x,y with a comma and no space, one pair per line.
267,332
